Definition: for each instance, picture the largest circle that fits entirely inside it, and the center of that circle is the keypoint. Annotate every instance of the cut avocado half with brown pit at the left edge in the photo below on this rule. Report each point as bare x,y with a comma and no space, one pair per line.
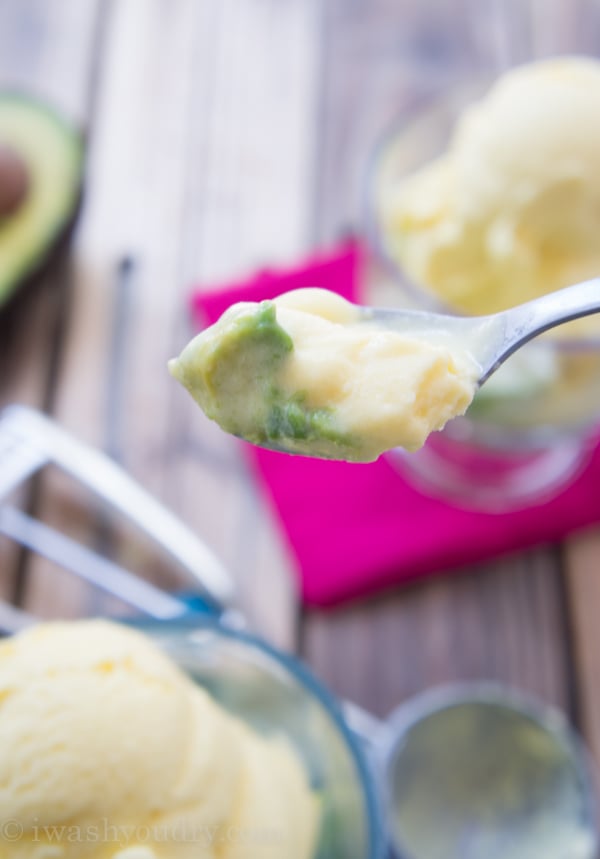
41,175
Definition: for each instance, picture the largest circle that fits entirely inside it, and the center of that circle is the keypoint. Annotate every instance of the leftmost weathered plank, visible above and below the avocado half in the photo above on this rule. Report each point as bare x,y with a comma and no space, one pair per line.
47,49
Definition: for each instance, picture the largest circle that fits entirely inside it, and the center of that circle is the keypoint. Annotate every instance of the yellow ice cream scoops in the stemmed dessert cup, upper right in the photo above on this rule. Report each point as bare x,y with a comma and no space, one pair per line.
512,209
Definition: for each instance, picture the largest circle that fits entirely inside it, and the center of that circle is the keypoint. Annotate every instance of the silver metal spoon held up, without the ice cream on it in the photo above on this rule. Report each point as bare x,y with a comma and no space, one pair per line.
492,339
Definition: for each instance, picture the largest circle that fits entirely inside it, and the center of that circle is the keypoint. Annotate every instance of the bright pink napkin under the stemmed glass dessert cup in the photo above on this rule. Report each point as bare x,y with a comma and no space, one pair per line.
355,529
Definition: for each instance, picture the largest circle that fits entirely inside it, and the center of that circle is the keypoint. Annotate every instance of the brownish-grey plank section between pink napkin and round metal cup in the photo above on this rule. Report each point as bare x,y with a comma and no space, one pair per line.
501,622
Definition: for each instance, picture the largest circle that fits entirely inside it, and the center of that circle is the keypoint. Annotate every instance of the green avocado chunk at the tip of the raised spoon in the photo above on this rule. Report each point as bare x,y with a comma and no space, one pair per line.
234,376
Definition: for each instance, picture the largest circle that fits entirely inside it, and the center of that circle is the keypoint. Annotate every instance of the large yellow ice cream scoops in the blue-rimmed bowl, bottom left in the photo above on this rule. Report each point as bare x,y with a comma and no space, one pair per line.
109,751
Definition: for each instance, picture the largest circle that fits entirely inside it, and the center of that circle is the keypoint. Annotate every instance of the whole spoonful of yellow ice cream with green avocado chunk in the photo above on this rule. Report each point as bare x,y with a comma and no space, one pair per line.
305,374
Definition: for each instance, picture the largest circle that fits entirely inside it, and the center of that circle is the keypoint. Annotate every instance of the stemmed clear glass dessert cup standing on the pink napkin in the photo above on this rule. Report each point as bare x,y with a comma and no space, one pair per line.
532,427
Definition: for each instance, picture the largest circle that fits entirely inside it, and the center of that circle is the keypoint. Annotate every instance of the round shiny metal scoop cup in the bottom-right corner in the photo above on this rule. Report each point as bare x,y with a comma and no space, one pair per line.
481,771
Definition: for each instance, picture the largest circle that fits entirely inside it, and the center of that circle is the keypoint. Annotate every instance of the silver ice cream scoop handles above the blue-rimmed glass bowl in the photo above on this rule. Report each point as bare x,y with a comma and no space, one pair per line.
28,441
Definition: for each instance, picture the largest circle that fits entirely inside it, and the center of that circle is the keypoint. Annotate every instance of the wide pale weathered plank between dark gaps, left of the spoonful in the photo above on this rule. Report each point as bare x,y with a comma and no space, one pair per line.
201,139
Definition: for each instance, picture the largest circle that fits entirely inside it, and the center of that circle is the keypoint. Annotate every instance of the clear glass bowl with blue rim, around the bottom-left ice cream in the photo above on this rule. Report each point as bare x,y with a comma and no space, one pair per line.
277,695
